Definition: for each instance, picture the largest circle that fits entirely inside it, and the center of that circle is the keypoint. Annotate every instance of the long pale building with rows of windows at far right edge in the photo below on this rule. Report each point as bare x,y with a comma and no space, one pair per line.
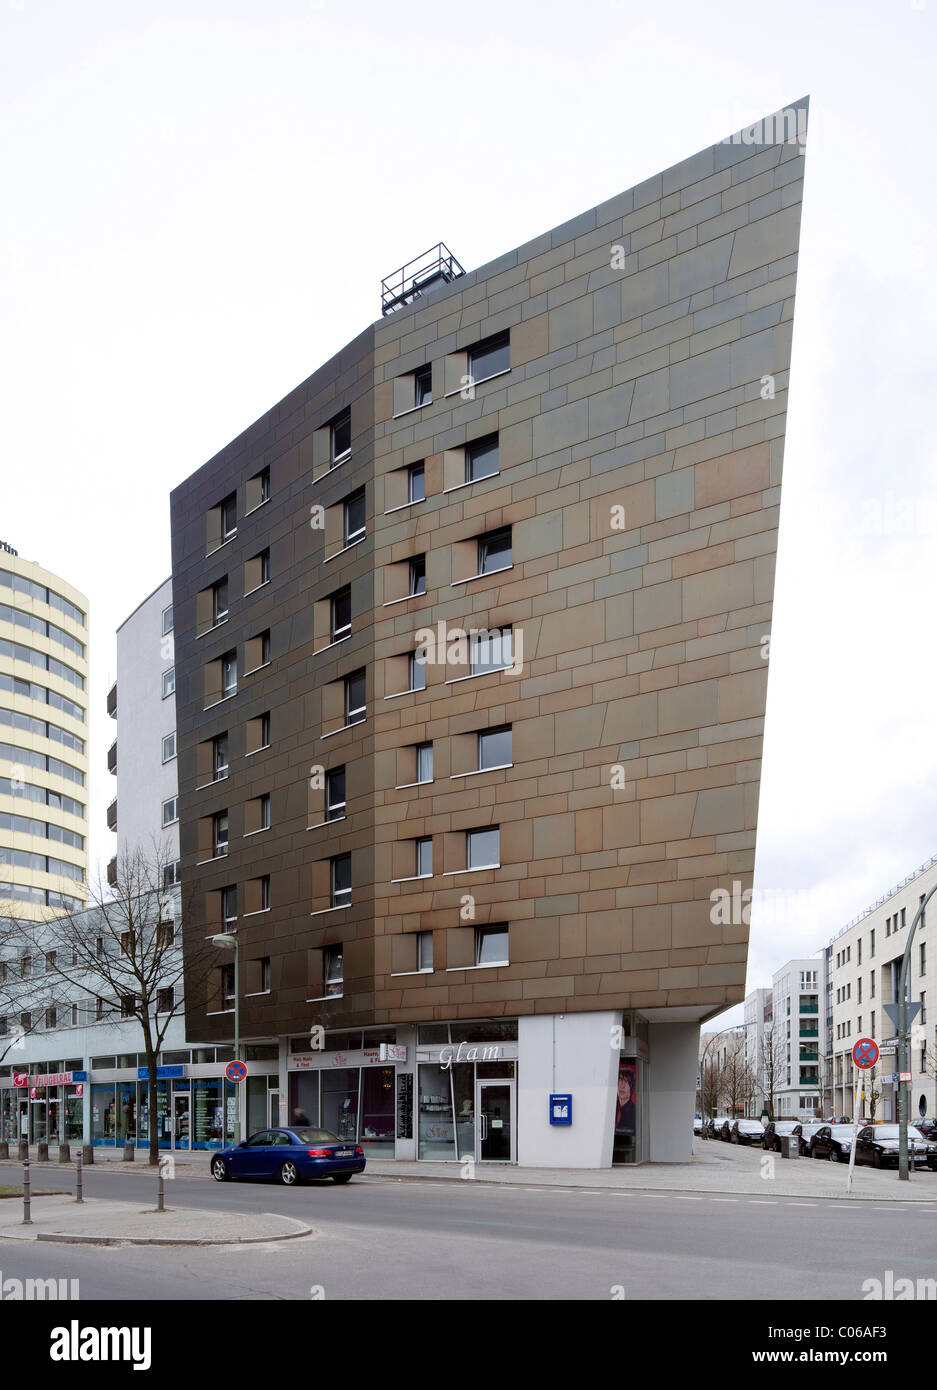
867,961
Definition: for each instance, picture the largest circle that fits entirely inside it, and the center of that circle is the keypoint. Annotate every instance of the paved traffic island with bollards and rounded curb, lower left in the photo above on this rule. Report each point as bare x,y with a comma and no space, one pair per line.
97,1223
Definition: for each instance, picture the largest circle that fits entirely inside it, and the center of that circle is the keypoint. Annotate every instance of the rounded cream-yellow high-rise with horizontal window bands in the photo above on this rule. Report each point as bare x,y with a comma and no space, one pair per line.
44,740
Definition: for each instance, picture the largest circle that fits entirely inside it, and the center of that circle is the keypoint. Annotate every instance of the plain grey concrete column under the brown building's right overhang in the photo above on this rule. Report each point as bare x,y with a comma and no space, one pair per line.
672,1090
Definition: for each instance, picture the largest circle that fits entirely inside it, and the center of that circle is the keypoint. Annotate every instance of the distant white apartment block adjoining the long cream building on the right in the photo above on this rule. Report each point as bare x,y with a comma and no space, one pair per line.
799,1038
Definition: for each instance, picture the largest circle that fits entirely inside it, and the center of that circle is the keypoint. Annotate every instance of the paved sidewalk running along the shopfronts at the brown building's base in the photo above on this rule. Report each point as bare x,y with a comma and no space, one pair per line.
715,1170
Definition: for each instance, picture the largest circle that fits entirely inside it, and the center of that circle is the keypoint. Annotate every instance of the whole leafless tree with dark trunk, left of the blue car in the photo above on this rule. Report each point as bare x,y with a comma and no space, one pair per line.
123,956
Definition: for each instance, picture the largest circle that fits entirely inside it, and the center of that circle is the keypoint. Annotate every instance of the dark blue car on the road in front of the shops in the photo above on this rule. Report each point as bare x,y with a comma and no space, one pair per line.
291,1157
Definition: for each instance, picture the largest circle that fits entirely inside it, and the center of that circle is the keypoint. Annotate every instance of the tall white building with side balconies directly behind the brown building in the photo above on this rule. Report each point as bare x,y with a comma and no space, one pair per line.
144,755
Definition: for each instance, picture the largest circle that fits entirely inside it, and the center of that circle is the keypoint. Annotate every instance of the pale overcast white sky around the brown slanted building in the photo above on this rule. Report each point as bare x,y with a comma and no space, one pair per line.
201,199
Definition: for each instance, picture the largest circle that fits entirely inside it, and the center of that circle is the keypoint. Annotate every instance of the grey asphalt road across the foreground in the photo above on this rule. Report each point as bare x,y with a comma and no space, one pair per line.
427,1241
